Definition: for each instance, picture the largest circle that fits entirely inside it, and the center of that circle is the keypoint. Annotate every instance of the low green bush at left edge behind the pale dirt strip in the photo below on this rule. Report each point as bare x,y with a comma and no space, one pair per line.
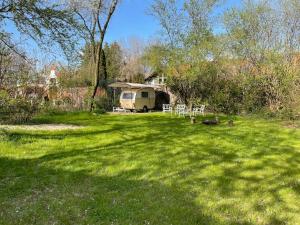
16,110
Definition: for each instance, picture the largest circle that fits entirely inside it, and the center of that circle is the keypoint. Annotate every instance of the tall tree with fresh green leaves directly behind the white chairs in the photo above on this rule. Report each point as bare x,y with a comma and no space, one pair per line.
189,43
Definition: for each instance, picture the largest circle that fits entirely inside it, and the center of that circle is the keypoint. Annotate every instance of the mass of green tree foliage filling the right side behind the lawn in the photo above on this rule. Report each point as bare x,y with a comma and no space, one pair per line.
252,66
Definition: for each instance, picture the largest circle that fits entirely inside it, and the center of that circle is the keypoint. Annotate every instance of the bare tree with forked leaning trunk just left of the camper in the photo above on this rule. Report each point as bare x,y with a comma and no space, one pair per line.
94,16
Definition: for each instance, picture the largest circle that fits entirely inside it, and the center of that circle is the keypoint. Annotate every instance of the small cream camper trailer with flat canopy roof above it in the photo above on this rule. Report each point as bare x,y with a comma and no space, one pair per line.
138,97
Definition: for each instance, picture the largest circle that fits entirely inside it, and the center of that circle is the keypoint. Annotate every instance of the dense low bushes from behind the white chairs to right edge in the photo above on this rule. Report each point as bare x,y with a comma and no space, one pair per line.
272,91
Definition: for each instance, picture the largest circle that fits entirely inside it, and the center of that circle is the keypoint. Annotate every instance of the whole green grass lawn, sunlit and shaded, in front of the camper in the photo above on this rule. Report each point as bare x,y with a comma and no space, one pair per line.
150,169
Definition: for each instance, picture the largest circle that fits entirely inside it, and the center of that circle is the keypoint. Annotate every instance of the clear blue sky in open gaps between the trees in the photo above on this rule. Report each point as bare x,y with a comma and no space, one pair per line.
130,20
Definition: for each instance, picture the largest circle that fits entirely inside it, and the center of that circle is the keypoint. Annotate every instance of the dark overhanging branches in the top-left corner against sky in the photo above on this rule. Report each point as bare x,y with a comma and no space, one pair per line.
43,21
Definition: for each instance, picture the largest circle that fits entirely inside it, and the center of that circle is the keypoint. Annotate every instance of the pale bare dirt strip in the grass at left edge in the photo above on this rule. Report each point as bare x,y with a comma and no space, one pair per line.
44,127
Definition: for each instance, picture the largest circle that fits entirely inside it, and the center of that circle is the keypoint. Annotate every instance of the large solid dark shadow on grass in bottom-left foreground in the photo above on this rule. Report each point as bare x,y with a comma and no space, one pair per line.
34,194
